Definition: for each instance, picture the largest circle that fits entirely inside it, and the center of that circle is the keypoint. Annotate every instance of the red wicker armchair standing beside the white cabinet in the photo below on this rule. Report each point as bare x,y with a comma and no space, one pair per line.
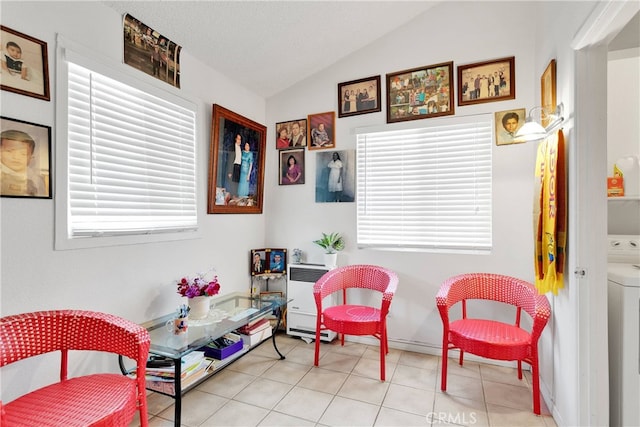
355,319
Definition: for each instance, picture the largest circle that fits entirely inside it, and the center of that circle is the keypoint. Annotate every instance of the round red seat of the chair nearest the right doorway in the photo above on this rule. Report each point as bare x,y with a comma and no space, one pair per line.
491,339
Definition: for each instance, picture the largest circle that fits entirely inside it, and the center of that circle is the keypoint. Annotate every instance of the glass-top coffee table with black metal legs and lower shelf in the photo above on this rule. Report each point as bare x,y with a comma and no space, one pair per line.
228,313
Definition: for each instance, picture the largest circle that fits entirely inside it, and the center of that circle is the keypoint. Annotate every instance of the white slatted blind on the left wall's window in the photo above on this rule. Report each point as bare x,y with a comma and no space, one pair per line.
131,165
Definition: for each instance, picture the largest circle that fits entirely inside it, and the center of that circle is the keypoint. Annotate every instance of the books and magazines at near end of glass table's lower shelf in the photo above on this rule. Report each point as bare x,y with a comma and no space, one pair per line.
193,367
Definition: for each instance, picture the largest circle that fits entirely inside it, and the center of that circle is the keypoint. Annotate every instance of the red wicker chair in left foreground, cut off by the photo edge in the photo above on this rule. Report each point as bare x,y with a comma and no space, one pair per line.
104,399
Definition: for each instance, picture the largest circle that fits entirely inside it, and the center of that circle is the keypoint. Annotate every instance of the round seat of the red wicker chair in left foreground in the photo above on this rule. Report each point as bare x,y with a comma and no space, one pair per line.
81,401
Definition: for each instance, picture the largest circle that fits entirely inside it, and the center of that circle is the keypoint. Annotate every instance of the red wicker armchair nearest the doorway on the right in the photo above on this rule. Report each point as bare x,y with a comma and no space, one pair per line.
489,338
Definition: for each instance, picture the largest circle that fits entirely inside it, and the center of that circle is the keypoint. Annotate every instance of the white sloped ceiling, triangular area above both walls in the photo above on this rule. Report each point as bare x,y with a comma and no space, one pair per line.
268,46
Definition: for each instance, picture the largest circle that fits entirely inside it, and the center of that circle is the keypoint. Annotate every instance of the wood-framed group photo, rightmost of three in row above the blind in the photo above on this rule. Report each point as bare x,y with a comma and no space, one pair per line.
487,81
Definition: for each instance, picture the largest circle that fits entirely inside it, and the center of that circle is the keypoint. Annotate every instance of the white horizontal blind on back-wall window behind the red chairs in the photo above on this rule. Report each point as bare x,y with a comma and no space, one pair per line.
426,188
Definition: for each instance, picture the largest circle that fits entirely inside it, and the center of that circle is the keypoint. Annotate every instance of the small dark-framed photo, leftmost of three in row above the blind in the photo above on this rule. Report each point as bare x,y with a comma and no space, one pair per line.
359,97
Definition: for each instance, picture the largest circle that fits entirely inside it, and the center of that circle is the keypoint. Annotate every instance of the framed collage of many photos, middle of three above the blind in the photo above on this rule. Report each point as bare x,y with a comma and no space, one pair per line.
420,93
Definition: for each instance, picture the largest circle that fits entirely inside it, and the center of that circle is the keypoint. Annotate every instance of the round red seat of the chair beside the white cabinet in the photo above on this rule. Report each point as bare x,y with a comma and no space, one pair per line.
353,319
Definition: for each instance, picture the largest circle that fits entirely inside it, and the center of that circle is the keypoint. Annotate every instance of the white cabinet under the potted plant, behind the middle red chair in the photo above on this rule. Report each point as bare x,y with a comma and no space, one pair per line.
301,311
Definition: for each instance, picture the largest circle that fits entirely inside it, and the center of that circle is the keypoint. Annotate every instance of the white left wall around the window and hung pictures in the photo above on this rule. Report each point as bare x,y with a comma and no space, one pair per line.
136,281
